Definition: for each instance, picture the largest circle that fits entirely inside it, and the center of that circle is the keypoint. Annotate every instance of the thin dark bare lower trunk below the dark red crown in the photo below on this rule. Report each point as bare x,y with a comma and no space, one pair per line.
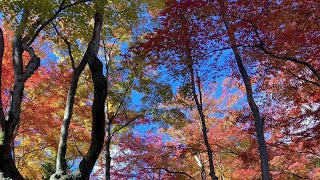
203,123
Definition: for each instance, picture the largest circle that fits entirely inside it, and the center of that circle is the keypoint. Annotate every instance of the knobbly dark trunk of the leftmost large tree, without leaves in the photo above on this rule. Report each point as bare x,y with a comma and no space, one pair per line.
7,165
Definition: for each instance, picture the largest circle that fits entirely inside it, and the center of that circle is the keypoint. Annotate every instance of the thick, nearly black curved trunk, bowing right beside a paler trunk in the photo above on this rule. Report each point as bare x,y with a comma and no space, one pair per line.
100,94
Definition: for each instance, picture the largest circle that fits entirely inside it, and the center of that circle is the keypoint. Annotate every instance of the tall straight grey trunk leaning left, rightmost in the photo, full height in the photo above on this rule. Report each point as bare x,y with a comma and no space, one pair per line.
247,82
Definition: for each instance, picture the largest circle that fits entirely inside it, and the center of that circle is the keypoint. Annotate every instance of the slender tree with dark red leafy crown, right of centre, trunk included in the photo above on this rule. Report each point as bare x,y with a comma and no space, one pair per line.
181,47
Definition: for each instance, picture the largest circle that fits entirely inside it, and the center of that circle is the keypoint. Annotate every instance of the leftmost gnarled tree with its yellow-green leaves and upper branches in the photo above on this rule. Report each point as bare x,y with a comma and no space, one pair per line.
22,41
